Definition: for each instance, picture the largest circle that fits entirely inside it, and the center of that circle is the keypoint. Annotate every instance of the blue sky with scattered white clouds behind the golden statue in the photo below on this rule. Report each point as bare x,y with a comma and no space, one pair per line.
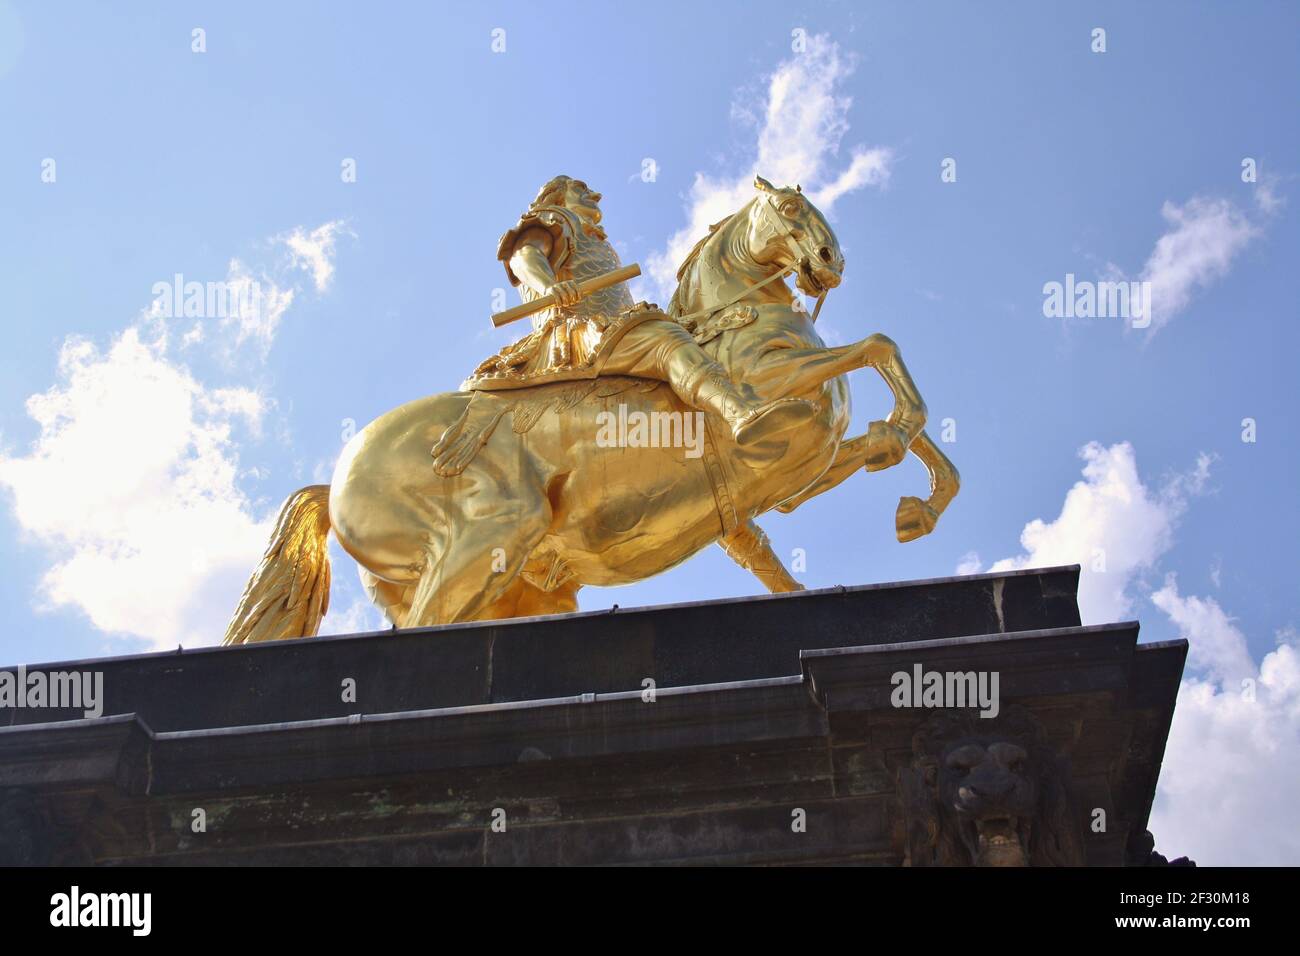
137,487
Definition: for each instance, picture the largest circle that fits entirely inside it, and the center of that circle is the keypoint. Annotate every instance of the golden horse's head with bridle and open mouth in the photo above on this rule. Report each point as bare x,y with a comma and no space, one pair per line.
786,230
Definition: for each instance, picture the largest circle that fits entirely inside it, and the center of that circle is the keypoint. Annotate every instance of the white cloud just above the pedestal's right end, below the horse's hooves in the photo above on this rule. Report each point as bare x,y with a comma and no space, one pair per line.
1112,525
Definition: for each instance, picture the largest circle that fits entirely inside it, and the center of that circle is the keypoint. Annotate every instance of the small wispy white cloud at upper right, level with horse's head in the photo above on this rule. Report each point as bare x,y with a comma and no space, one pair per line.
1198,249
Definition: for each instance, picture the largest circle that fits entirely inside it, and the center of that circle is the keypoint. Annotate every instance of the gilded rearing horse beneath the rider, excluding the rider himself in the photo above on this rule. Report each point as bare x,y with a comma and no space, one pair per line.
543,509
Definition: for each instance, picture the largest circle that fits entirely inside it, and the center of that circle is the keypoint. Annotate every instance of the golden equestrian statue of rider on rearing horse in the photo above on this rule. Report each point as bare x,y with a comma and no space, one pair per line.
506,498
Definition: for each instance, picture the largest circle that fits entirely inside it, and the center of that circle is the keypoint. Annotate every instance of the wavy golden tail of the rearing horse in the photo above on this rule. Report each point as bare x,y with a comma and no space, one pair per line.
289,592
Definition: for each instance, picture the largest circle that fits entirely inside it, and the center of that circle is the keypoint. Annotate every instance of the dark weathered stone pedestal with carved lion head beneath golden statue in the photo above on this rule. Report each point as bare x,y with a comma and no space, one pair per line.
760,730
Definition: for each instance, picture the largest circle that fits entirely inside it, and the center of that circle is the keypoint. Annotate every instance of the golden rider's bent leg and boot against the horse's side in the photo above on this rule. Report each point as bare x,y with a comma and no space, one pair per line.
662,349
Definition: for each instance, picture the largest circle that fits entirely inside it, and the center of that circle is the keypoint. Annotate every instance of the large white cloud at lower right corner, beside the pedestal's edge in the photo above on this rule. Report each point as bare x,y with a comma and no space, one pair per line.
1233,758
